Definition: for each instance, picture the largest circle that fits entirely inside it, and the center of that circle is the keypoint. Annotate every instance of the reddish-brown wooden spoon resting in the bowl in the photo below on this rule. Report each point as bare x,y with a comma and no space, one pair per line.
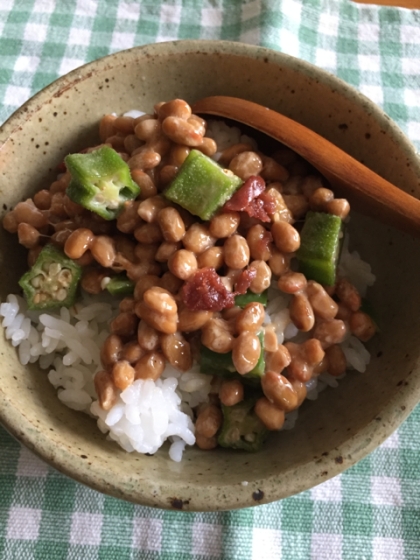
367,192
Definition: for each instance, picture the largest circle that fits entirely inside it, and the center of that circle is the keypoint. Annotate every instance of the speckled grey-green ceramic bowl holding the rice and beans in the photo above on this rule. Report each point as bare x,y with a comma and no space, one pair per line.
333,432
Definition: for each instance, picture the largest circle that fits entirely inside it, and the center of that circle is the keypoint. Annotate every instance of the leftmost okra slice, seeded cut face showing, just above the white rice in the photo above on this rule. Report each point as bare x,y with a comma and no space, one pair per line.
52,281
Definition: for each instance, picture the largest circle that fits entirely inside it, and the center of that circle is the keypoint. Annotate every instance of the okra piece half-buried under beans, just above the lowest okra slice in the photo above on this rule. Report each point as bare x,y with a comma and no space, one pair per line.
221,365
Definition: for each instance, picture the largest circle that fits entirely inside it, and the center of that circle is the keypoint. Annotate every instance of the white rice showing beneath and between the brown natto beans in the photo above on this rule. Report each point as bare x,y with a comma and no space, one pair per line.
67,343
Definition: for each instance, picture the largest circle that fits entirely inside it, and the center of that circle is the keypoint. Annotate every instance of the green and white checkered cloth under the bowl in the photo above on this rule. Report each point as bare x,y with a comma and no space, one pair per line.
372,511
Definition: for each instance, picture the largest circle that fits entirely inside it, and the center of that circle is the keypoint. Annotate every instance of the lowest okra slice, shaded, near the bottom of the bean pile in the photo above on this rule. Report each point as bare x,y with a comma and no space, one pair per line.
241,428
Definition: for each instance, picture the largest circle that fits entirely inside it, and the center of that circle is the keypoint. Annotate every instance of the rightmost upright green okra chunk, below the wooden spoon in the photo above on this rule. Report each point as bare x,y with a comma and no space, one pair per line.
320,247
